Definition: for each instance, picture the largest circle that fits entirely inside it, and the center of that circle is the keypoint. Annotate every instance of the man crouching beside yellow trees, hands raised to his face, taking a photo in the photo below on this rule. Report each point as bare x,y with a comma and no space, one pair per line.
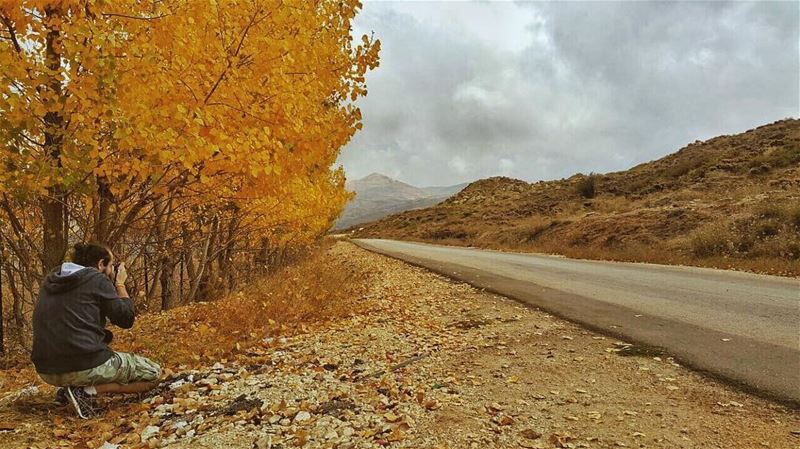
70,342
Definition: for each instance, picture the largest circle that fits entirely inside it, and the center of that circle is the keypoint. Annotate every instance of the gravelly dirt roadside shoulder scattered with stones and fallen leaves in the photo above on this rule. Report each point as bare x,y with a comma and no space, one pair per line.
436,364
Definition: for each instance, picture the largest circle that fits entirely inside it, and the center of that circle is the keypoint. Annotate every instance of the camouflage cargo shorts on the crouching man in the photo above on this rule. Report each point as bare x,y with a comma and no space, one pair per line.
121,368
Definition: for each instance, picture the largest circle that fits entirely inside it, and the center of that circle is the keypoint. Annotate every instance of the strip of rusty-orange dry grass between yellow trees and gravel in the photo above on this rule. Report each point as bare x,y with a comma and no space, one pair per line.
310,293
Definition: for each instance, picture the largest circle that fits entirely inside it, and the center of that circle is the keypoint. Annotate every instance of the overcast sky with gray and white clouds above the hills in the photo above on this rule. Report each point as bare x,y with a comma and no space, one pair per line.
543,90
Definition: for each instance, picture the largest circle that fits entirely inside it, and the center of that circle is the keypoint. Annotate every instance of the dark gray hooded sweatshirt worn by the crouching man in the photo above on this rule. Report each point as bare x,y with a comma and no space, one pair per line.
69,319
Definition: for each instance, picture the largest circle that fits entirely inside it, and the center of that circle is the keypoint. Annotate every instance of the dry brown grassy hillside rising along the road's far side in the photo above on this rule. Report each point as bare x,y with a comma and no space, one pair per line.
730,202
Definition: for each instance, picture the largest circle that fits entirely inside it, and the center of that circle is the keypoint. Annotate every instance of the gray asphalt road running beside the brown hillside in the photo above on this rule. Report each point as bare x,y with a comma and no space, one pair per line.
740,327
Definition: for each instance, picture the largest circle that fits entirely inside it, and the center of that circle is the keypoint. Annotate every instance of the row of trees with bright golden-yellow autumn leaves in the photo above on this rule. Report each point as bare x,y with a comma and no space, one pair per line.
187,134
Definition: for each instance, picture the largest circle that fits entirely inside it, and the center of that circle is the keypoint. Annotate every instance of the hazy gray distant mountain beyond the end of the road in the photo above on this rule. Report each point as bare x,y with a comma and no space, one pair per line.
378,196
